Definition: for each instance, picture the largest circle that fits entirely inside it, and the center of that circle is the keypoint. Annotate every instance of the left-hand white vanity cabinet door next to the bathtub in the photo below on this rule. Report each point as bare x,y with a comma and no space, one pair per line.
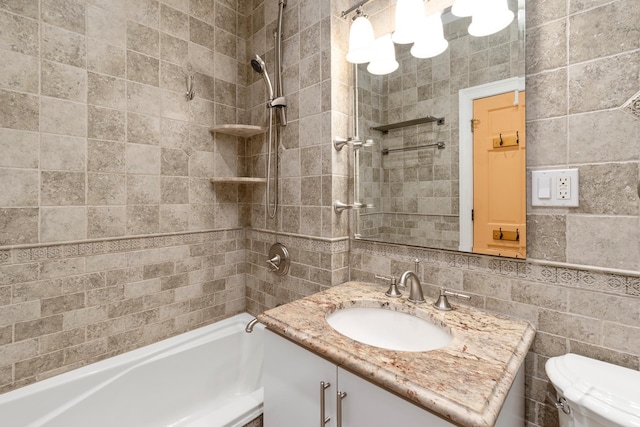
292,377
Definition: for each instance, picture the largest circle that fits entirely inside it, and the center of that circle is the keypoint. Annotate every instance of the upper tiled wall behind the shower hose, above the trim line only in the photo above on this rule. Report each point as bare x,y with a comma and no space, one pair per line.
315,86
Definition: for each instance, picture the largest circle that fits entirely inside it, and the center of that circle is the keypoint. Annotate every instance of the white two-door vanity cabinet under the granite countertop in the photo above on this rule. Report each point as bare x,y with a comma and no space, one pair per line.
293,393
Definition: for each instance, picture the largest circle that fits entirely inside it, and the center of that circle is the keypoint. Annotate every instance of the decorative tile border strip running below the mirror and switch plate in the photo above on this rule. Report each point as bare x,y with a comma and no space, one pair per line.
573,276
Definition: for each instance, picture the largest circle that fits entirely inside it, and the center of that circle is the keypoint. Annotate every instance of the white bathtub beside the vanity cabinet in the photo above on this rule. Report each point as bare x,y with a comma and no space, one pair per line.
211,376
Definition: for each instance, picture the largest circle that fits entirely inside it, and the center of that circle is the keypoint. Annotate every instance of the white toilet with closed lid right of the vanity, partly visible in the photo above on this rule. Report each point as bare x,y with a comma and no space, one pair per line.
591,393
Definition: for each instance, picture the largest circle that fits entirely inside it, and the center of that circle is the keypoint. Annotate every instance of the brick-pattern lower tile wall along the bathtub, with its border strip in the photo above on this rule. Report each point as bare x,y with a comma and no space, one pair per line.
67,305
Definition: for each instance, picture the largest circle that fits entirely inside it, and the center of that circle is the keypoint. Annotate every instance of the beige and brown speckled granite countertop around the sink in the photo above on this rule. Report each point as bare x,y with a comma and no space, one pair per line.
466,381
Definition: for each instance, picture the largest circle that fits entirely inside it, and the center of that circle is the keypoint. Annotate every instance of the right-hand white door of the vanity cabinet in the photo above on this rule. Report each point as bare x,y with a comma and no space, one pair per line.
369,405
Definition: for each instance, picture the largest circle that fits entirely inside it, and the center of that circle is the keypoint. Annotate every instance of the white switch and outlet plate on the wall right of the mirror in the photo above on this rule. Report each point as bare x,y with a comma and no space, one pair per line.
554,187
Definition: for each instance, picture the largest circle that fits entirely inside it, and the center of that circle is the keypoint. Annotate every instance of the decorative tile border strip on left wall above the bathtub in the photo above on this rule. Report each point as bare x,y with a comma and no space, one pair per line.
21,255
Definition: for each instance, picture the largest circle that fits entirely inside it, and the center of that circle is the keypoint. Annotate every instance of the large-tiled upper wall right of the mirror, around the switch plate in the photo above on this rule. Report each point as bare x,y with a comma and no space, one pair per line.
583,81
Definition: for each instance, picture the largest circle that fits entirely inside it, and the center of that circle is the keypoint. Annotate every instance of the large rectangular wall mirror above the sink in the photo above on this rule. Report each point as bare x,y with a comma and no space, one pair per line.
416,180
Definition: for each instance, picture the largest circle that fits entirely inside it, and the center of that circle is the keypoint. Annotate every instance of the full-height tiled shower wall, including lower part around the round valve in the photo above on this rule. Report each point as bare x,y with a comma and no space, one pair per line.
316,82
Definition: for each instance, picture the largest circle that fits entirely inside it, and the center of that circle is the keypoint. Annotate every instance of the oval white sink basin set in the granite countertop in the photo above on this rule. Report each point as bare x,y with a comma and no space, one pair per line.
388,329
